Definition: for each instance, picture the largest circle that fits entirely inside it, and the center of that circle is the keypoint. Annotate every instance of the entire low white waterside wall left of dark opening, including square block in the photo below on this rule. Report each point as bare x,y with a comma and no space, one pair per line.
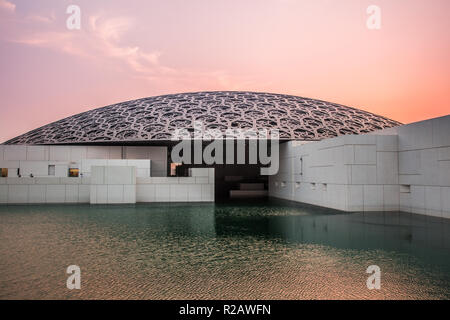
109,185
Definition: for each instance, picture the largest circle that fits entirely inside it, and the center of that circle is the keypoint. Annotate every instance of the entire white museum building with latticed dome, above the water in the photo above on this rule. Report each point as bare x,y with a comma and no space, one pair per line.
330,155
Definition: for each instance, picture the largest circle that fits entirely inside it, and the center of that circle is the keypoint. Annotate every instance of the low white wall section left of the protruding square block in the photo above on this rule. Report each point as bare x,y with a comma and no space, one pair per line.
44,190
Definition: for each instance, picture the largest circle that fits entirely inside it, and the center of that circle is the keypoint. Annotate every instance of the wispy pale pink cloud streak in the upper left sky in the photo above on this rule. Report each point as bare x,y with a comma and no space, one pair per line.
103,39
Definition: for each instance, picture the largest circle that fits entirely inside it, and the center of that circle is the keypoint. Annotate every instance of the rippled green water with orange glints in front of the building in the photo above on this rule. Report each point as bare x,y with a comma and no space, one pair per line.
265,250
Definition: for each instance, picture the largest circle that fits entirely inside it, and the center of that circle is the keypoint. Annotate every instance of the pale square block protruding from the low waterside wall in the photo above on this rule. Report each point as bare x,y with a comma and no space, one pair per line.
113,185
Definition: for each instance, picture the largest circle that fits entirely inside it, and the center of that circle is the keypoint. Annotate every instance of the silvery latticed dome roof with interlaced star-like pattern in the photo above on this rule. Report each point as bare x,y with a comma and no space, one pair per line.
156,118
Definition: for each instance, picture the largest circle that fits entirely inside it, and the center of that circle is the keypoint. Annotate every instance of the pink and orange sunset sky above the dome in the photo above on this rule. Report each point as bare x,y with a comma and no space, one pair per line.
132,49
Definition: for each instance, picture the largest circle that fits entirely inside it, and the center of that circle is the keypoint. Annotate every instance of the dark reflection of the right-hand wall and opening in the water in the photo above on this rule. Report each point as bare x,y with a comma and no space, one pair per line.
422,236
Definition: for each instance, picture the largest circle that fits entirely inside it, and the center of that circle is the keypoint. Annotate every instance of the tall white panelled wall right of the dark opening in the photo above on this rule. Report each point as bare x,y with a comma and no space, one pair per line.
405,168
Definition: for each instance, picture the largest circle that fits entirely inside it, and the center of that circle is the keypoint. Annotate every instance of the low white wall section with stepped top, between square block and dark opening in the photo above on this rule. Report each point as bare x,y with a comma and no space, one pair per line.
197,188
